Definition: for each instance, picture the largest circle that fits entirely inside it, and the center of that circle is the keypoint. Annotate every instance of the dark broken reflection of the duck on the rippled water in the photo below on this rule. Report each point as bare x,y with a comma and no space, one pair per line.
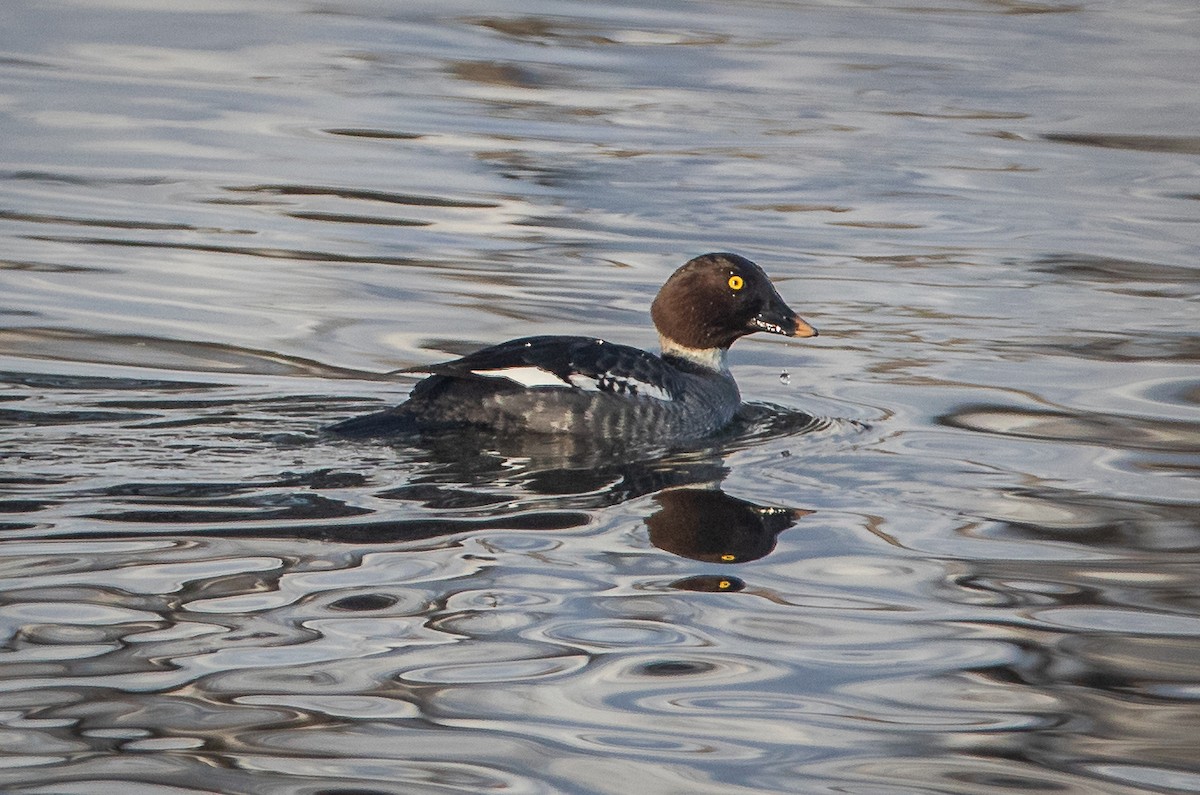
693,517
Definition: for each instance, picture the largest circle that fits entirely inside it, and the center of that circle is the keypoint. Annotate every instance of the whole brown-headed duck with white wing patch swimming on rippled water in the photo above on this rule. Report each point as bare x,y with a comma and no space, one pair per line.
586,387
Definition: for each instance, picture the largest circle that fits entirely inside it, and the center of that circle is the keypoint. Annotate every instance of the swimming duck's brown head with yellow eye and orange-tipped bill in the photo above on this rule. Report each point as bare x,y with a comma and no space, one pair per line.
717,298
